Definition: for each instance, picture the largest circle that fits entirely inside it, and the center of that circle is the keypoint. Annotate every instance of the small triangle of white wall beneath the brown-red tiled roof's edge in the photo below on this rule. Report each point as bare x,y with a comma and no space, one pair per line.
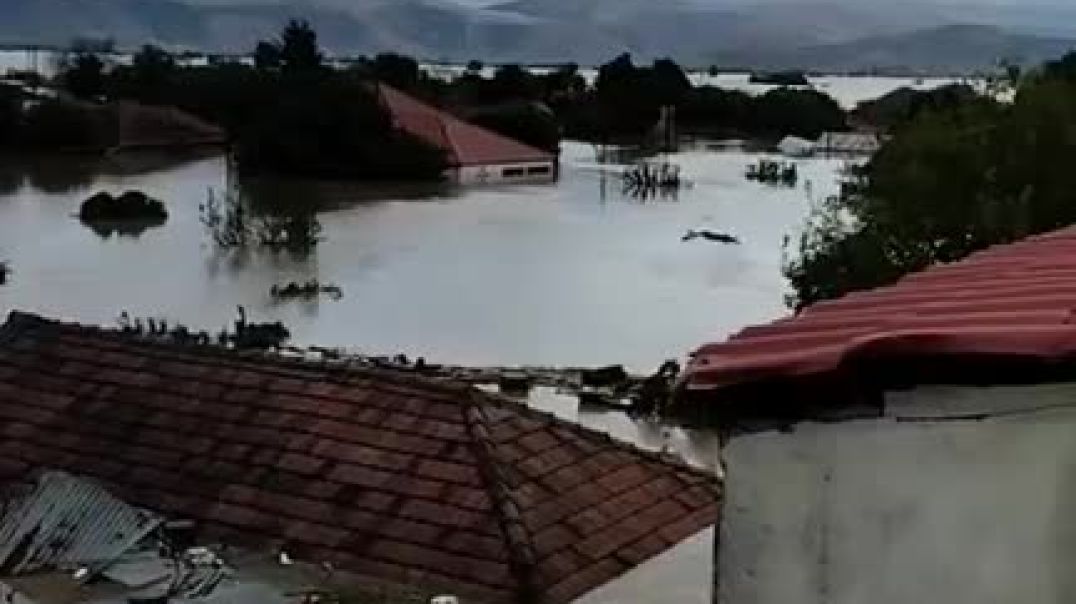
682,575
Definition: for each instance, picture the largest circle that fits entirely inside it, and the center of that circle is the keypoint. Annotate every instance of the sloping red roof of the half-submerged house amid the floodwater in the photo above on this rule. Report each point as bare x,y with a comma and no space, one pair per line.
466,145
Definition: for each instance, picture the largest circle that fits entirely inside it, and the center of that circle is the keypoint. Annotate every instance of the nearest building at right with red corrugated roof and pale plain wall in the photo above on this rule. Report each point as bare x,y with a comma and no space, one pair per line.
947,479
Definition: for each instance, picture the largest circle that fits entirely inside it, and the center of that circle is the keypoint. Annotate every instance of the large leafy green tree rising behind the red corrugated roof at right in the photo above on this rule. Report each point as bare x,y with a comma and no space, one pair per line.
959,177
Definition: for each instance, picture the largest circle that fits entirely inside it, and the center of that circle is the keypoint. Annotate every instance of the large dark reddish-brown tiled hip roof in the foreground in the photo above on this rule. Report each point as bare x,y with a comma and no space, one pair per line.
383,474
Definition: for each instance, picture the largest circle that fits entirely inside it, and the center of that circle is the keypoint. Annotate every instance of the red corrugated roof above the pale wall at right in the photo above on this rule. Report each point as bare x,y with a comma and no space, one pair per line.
1015,301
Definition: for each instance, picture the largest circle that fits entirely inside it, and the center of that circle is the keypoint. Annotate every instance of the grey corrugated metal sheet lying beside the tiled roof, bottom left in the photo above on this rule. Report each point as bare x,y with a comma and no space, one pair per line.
68,523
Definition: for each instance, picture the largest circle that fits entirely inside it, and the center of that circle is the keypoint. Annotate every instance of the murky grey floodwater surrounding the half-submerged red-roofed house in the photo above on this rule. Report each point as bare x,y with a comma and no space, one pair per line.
567,274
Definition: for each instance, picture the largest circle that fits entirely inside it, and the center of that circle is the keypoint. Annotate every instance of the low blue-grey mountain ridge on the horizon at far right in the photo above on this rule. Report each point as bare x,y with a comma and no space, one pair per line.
958,49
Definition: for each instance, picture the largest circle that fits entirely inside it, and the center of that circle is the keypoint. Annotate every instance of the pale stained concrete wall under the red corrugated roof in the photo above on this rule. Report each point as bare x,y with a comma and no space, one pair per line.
884,512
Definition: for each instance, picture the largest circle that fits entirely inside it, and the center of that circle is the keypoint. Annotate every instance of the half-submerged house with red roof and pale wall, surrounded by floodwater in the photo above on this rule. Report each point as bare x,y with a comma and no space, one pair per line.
476,156
